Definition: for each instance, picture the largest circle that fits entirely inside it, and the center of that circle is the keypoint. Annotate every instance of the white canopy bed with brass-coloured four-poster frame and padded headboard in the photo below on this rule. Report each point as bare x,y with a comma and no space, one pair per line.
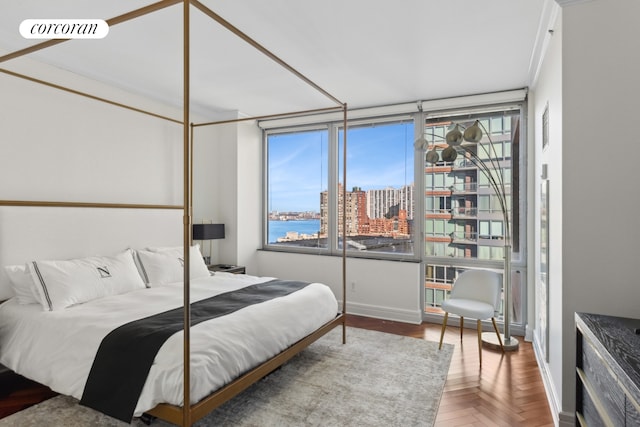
62,229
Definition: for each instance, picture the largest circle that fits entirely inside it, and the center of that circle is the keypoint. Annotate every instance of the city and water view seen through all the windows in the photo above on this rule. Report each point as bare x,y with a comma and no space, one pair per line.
462,218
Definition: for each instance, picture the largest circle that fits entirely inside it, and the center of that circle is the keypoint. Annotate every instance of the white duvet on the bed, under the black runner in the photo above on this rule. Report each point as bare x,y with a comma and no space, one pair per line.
57,348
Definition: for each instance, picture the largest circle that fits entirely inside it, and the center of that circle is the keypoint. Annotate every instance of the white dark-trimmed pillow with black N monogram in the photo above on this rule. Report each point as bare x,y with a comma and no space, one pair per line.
60,284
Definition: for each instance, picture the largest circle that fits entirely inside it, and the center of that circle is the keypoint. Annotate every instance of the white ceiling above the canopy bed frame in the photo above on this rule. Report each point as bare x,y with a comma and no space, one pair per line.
363,52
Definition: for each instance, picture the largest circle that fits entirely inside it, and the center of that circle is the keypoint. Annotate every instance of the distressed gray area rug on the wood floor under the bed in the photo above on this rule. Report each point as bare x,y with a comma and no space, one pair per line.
376,379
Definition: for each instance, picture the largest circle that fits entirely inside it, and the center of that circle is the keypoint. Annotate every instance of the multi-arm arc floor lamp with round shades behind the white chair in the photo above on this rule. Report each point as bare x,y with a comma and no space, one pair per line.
461,140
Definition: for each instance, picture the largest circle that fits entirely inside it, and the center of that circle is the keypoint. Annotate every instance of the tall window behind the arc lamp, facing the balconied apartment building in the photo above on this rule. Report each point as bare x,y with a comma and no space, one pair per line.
464,221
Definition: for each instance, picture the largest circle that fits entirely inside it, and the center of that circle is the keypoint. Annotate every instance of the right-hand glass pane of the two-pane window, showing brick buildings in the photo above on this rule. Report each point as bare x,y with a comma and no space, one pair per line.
380,204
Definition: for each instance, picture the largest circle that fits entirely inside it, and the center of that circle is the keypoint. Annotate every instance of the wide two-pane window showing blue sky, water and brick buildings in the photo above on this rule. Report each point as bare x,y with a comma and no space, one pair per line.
305,188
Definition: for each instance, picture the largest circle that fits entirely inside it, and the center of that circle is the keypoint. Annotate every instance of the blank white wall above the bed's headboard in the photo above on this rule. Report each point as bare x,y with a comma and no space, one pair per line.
58,146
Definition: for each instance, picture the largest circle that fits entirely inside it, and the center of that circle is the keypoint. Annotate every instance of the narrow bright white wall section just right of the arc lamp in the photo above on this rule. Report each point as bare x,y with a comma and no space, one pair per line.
547,91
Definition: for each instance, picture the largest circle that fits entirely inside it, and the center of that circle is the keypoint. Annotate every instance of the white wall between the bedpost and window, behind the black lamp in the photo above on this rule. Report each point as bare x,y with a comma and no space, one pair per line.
227,188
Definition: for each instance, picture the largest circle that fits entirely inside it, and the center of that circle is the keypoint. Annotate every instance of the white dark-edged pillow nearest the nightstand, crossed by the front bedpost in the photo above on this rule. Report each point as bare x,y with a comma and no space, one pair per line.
166,265
